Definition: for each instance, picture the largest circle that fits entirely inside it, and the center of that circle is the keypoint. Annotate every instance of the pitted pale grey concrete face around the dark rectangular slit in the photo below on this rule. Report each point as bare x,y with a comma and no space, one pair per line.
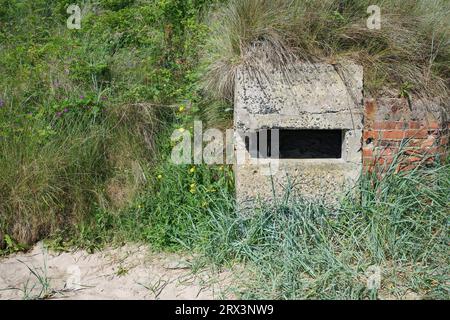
308,96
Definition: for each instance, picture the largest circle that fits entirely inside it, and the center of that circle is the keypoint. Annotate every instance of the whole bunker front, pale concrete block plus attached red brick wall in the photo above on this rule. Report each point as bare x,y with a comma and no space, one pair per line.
316,100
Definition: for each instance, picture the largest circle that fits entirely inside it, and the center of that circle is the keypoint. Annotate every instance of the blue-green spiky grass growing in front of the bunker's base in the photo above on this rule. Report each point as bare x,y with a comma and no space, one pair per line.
298,249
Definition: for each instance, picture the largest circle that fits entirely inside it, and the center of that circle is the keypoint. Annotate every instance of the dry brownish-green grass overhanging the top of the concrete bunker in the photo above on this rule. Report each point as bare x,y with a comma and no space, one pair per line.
410,52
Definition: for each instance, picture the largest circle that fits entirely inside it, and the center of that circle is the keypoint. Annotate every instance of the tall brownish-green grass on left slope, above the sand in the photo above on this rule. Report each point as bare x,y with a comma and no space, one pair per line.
54,183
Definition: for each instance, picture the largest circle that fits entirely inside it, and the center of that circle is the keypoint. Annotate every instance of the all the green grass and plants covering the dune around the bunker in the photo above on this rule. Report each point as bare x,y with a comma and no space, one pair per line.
86,117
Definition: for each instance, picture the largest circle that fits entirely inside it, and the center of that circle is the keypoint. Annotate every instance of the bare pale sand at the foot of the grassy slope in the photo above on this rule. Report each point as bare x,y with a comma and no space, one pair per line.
129,272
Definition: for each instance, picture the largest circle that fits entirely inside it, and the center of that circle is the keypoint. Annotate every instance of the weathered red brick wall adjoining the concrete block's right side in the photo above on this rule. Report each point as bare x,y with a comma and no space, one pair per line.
410,134
